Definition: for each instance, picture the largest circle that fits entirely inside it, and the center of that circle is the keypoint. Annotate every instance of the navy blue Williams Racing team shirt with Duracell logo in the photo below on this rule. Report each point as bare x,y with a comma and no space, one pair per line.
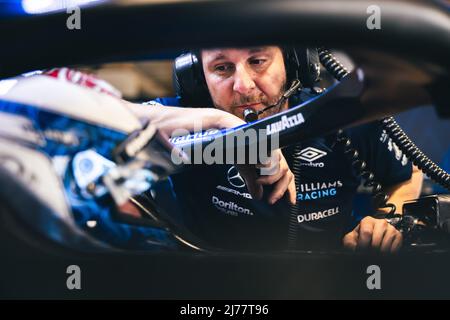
217,206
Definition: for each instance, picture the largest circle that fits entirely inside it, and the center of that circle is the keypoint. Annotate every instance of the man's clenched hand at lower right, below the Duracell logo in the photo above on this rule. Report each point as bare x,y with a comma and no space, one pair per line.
375,234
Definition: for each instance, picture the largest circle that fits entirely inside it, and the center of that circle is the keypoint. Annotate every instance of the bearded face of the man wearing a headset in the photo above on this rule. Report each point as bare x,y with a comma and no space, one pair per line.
244,78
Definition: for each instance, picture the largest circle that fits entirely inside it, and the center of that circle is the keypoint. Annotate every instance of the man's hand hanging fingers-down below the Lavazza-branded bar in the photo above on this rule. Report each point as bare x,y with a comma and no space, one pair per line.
281,178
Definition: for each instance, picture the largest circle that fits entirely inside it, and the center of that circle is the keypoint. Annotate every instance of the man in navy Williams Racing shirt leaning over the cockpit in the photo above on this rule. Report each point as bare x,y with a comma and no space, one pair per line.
239,209
